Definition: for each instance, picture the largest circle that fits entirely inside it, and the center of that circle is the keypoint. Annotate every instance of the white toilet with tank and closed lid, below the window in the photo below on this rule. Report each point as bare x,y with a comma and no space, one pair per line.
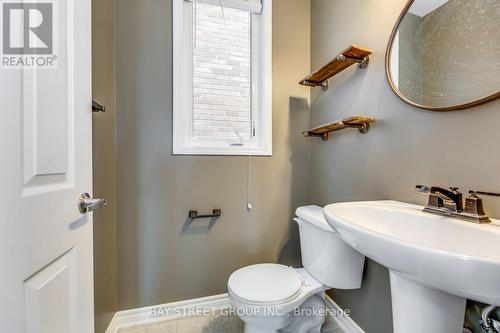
270,297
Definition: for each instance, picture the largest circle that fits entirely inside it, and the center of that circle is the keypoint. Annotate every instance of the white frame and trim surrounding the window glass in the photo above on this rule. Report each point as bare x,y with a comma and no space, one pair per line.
261,87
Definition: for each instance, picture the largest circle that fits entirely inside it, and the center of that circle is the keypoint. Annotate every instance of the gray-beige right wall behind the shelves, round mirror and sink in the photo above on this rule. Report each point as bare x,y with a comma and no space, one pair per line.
405,147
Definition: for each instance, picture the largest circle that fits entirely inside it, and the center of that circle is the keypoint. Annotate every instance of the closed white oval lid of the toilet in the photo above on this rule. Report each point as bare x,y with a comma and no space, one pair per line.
265,283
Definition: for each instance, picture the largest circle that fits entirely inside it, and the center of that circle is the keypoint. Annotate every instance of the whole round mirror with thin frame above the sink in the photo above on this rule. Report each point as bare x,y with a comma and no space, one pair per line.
445,55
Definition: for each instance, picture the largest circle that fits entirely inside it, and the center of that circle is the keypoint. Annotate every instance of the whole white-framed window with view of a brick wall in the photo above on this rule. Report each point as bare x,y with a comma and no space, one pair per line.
222,77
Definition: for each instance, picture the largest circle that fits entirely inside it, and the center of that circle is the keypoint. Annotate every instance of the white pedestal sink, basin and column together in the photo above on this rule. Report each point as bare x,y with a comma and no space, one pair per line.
436,263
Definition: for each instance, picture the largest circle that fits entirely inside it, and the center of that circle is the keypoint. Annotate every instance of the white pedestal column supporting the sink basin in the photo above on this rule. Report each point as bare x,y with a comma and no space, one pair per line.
417,309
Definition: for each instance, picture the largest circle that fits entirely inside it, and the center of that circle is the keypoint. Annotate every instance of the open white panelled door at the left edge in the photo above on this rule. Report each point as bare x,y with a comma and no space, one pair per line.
46,265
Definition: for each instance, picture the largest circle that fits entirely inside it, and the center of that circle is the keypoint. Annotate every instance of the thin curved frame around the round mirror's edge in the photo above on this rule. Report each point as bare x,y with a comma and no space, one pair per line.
388,53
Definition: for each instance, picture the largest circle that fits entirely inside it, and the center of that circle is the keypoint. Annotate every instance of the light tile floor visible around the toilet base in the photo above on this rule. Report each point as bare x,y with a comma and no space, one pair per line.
216,323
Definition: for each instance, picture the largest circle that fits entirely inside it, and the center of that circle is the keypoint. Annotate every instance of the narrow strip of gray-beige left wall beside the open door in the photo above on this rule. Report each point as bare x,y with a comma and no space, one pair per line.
104,166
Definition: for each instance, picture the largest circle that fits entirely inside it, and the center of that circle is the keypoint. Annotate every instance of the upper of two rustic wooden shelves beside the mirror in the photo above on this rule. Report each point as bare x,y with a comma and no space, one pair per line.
354,54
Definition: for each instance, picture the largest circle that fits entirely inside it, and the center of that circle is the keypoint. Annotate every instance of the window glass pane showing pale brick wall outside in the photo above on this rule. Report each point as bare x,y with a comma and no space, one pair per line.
222,74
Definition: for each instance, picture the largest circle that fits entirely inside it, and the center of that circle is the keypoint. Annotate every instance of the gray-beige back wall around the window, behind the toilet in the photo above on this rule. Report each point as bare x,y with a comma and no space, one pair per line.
159,258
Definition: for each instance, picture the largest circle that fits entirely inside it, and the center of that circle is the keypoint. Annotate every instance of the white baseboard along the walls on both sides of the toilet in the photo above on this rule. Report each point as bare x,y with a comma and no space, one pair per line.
143,316
